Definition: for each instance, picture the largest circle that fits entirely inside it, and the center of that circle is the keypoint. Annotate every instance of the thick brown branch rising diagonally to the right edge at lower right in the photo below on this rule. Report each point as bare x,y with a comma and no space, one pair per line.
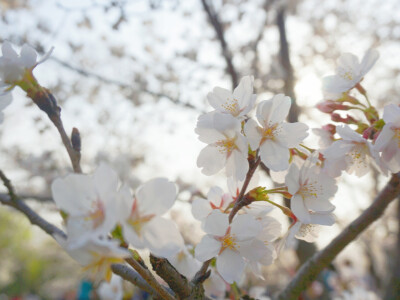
310,270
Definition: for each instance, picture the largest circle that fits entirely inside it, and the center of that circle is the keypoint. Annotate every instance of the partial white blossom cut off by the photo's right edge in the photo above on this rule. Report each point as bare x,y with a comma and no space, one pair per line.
388,141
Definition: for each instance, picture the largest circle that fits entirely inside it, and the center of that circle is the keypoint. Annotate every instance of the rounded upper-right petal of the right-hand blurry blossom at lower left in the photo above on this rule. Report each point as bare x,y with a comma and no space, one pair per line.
156,196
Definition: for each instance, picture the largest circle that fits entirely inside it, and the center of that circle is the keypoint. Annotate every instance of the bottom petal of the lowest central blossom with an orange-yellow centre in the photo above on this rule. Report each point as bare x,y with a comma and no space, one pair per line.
230,265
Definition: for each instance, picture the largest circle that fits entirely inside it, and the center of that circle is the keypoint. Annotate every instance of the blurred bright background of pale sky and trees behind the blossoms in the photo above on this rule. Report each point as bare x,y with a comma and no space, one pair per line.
133,77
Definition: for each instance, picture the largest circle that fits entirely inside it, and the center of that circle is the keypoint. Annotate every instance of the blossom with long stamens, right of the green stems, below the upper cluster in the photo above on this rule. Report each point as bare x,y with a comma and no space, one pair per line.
311,190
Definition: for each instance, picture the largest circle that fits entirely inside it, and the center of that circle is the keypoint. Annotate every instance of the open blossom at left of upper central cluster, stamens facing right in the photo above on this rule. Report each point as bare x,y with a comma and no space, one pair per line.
227,147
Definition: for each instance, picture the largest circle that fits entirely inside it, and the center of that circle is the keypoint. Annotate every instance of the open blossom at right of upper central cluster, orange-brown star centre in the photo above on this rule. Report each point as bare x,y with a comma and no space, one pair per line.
274,137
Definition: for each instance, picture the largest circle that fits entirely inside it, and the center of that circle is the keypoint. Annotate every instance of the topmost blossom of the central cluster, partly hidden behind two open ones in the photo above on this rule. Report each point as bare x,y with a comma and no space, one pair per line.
238,103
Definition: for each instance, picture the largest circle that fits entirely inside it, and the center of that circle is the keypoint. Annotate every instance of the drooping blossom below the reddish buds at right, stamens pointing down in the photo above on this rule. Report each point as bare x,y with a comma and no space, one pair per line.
352,153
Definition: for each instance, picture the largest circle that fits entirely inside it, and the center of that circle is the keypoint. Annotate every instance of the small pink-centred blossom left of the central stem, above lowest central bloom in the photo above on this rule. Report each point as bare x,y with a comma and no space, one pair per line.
216,199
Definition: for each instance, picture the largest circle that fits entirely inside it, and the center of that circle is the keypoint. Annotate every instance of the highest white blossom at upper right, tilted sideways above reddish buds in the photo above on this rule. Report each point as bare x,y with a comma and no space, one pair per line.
349,72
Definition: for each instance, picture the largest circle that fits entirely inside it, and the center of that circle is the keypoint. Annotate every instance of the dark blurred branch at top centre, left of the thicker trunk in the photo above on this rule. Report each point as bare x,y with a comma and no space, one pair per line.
218,27
